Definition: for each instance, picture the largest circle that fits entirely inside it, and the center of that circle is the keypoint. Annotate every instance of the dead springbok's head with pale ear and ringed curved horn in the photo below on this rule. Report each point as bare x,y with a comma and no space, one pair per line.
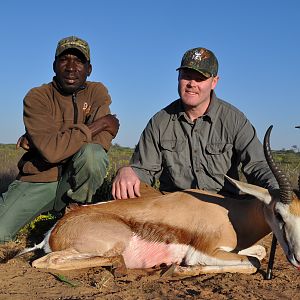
281,207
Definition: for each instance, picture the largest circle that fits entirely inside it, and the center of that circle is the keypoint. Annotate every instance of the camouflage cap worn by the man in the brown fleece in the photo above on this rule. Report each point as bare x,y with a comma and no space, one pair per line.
73,42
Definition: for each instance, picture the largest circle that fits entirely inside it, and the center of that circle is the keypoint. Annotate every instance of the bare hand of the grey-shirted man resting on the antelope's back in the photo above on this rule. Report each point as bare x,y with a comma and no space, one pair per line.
126,184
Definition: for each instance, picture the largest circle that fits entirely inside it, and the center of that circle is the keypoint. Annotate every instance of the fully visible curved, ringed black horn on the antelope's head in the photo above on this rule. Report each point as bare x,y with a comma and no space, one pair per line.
283,182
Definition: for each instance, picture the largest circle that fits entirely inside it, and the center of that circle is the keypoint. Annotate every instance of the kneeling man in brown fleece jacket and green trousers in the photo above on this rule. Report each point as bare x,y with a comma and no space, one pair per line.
69,130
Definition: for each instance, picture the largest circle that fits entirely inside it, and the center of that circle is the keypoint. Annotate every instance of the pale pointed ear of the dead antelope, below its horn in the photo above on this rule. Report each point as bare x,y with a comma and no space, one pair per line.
250,189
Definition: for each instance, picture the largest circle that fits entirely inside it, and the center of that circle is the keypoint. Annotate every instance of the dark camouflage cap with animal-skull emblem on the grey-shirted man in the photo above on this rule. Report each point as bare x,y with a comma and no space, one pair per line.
201,60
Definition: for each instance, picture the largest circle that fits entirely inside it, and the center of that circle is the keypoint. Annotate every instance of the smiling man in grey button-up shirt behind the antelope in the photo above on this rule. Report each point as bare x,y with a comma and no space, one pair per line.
195,140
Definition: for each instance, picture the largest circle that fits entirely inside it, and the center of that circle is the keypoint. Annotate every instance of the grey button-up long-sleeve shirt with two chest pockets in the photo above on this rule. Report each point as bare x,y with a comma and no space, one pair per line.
184,154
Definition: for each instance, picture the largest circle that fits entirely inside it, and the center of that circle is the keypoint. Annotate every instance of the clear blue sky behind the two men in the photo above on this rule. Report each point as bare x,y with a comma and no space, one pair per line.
136,47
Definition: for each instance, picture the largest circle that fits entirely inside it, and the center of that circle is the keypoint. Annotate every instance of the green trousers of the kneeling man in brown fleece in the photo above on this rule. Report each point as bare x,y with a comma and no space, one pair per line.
80,179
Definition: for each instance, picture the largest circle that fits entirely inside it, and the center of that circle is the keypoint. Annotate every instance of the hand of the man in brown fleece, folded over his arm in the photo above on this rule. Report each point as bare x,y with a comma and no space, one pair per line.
108,123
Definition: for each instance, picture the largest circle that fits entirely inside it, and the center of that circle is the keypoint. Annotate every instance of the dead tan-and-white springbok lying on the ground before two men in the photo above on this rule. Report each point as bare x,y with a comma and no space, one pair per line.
192,230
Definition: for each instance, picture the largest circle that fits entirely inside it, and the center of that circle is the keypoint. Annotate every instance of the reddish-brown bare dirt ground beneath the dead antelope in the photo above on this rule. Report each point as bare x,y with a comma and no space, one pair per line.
18,280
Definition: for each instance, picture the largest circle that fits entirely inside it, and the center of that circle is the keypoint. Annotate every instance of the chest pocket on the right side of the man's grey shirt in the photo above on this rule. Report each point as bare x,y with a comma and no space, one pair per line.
219,157
